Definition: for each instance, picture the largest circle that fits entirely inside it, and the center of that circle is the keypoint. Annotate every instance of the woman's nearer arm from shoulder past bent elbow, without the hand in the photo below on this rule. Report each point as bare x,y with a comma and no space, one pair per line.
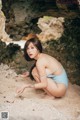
40,65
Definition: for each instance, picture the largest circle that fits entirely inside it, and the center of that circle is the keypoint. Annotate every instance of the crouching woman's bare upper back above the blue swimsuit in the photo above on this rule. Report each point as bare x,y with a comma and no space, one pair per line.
52,66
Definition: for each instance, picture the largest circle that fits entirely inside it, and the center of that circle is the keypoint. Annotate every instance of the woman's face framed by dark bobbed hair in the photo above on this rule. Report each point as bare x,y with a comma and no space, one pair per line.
32,51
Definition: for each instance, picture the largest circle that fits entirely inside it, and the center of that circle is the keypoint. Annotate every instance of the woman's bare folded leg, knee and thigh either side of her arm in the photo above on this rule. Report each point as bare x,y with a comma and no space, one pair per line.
53,89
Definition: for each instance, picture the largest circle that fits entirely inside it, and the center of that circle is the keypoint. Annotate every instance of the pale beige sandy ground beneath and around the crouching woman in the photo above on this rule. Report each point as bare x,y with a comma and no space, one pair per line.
32,104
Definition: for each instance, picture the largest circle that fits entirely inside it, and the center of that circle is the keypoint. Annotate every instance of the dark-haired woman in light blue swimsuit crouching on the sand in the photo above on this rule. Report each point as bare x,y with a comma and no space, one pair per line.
48,73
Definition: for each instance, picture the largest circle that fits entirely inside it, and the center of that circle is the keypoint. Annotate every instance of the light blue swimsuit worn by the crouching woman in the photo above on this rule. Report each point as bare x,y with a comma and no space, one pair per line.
62,78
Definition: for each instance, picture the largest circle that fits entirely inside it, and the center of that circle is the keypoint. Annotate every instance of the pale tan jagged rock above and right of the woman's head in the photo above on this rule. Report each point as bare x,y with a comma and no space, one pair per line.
51,27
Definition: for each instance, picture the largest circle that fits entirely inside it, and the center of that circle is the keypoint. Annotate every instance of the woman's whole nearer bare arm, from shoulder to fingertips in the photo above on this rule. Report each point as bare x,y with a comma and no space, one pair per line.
40,65
